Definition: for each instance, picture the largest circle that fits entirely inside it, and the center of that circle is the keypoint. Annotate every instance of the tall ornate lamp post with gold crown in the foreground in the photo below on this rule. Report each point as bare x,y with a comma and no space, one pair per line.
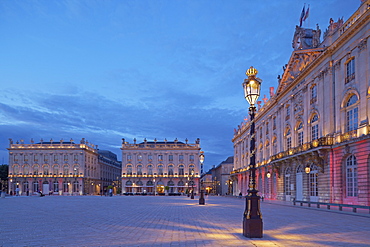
252,219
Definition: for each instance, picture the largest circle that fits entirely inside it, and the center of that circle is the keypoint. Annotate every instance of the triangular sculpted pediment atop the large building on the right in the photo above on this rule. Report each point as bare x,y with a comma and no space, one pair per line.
298,62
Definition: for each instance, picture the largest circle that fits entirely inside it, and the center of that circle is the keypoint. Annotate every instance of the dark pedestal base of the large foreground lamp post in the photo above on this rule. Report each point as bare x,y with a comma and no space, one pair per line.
252,219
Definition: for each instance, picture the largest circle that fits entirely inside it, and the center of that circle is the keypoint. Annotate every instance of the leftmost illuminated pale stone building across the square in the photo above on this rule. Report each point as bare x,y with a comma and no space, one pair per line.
54,167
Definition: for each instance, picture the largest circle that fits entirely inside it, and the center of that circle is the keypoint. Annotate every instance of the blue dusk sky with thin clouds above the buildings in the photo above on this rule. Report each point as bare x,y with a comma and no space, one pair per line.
107,70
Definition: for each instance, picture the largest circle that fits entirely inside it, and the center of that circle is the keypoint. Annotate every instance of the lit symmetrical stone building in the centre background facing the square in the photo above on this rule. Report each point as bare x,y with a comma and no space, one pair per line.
152,167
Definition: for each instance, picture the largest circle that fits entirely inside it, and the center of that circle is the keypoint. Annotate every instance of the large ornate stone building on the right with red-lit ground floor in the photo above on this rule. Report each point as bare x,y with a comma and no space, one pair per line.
312,135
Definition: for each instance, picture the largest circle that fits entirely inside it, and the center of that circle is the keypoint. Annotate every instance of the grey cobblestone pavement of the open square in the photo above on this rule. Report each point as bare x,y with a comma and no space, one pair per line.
169,221
